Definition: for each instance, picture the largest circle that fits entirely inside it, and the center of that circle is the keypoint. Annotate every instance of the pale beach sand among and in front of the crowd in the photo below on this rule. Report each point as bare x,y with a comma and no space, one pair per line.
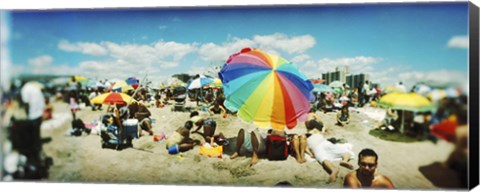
82,160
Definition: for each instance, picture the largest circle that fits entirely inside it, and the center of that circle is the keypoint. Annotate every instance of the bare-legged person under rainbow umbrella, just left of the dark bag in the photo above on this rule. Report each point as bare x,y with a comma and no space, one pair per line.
254,142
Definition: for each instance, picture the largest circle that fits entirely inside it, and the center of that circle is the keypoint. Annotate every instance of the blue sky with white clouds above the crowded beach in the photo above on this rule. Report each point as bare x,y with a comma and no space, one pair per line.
391,42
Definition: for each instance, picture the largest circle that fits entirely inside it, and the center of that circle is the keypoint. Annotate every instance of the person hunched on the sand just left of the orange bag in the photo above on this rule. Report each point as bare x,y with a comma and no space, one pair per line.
181,138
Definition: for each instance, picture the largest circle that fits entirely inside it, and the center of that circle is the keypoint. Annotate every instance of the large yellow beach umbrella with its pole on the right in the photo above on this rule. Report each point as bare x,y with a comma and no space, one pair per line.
406,101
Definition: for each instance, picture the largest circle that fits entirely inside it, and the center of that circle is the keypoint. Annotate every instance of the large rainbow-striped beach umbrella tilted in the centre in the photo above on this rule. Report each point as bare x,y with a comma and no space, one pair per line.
265,89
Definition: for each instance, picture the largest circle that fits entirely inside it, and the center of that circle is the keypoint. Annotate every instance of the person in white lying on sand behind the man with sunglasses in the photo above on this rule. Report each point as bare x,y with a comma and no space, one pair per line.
325,152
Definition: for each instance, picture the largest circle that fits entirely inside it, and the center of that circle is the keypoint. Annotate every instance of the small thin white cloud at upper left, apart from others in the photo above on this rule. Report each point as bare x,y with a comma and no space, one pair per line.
82,47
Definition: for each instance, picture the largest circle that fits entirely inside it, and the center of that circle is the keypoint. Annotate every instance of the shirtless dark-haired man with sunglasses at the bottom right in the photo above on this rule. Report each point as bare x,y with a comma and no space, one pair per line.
365,175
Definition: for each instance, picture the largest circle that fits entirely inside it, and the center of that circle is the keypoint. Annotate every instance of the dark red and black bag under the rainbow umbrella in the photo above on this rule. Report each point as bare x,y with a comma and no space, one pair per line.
277,148
